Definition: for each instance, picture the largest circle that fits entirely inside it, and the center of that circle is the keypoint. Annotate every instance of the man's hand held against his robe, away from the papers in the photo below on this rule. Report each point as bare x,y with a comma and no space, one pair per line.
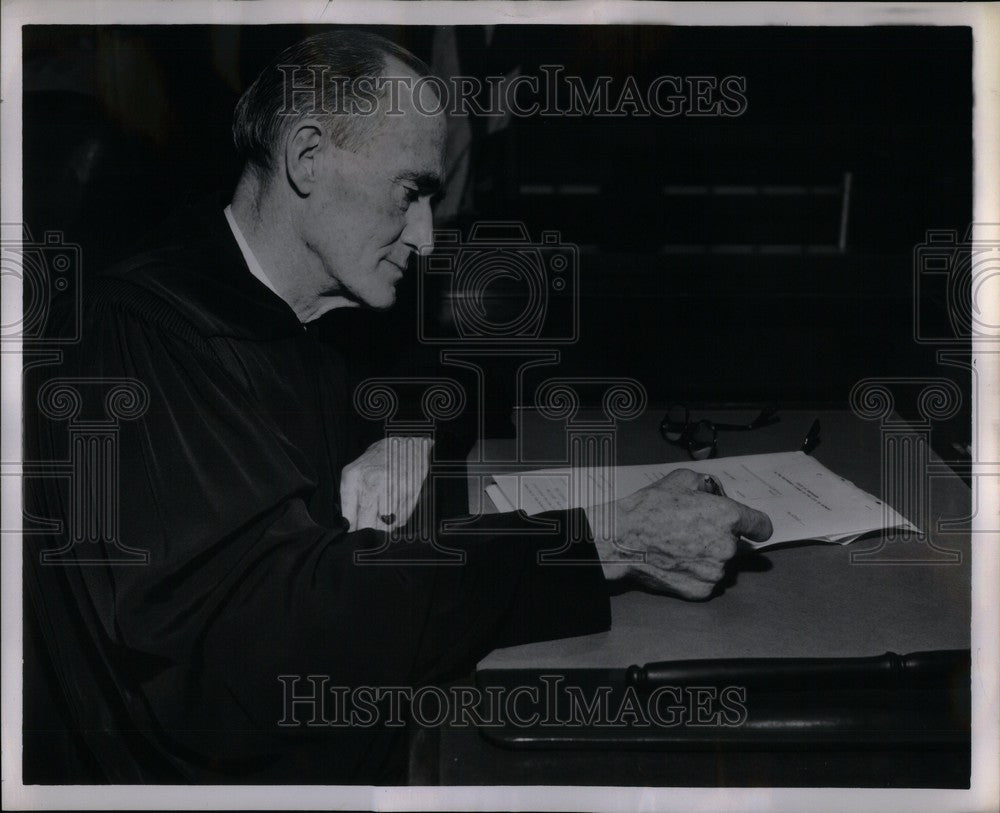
380,489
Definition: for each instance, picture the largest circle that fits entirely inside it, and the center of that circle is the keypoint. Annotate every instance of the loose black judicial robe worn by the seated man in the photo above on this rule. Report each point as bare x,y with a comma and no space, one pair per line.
230,481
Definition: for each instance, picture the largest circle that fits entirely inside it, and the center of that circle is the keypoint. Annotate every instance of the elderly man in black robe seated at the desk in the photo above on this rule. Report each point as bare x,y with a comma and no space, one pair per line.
238,483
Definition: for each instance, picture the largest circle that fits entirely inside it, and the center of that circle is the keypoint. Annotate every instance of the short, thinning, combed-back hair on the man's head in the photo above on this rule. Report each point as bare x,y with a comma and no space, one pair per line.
341,58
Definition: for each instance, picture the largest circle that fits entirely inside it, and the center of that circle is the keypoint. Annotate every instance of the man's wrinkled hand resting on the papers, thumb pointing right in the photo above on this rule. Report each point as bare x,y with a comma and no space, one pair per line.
686,530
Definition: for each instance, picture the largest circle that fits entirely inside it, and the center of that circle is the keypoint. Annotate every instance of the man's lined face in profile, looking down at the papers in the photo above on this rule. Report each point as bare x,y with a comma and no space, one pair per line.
371,208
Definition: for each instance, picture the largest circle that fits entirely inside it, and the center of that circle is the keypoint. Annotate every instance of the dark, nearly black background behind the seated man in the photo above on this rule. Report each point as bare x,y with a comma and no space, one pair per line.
714,297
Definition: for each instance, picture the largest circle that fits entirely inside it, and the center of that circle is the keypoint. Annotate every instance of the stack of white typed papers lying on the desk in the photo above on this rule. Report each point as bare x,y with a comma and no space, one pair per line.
803,498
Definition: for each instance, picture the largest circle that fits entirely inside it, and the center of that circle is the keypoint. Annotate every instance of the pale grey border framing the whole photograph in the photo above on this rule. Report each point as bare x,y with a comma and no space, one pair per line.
983,793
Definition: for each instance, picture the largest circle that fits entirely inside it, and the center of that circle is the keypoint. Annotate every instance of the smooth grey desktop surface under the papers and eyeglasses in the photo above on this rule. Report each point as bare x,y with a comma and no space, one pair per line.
806,601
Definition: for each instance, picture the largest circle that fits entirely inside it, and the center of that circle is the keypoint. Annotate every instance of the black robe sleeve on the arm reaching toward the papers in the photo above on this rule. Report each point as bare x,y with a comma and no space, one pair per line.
243,586
